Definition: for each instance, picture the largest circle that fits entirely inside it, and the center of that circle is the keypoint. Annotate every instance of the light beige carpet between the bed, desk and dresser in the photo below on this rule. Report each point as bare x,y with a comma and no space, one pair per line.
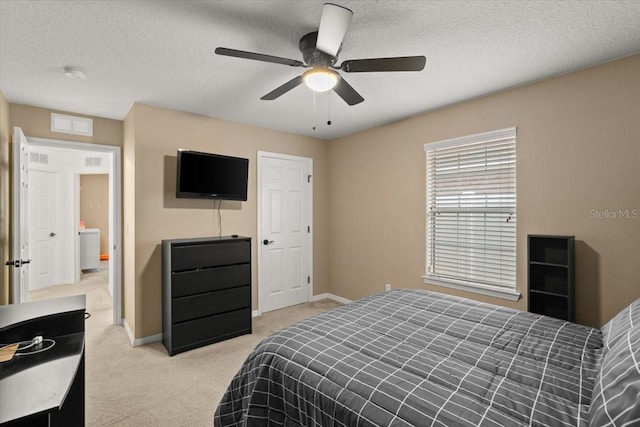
144,386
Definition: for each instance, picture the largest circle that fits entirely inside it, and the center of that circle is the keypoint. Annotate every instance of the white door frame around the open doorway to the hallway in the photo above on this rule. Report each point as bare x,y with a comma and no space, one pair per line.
115,251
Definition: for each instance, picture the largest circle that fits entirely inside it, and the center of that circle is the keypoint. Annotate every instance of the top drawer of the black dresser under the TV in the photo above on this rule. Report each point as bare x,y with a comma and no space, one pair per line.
189,257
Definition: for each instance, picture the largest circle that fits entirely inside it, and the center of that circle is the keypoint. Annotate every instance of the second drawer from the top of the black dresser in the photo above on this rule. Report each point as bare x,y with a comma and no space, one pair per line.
212,279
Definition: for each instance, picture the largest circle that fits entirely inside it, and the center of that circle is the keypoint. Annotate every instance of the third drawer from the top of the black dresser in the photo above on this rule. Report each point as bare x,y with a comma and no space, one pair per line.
193,307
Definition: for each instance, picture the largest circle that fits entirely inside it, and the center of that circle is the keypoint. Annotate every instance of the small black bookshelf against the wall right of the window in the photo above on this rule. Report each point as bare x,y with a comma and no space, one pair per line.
551,275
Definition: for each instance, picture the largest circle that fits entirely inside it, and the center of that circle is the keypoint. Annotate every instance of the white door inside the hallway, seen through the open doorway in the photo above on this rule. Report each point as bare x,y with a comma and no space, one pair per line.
43,227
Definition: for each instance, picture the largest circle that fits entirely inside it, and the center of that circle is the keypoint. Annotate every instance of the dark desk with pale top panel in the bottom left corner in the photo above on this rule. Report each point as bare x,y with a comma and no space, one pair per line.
46,388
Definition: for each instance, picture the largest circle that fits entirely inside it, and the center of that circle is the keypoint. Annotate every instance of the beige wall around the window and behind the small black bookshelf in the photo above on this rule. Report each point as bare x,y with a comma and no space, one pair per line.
578,150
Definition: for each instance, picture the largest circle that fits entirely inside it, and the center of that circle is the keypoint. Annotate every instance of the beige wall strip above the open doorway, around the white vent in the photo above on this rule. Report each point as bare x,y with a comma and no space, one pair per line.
36,122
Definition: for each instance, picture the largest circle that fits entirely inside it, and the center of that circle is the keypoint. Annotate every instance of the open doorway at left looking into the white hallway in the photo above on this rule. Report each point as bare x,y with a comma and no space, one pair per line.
47,190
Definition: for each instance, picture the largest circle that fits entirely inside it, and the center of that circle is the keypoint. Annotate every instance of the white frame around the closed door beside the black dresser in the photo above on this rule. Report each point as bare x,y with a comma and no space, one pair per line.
261,155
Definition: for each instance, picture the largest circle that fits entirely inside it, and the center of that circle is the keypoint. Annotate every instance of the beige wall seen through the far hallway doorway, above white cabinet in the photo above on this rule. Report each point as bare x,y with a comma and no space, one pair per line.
94,206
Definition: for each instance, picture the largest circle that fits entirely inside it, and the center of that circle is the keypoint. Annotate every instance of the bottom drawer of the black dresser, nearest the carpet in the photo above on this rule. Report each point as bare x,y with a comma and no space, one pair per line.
212,329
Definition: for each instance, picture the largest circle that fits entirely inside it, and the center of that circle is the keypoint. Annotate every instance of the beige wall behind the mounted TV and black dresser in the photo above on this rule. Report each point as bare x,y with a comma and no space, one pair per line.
158,215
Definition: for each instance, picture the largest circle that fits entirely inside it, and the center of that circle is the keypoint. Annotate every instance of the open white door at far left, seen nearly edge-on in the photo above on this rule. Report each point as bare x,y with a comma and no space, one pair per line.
20,194
